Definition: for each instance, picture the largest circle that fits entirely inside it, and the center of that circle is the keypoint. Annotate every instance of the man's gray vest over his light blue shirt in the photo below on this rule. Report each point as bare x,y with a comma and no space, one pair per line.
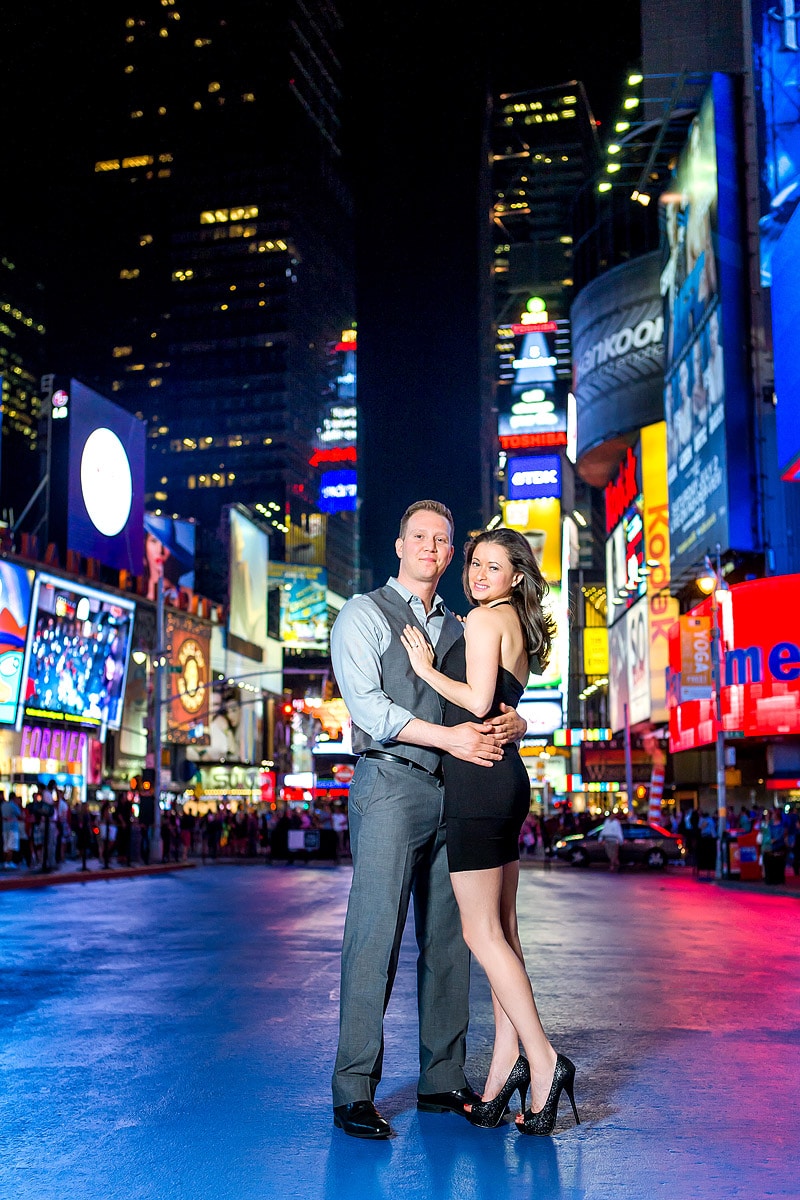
401,683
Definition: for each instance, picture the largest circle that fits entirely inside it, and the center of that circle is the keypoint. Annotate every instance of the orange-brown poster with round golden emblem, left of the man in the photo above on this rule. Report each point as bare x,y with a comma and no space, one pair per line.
189,644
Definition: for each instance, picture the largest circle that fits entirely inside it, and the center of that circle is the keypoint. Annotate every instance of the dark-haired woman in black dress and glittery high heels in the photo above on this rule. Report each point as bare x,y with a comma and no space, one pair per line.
506,637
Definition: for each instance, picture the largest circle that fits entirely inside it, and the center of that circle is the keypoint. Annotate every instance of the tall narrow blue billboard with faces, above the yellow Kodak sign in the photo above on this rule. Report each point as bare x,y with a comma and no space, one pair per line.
695,381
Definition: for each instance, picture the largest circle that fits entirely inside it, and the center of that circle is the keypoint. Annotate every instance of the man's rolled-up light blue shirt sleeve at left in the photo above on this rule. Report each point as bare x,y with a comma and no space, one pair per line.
359,638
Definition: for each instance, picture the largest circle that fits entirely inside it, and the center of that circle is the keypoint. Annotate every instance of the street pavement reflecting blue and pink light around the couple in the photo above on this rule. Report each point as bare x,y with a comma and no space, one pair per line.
171,1037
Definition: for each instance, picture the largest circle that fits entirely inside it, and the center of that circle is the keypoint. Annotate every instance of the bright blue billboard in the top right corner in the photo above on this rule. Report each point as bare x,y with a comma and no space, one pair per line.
777,45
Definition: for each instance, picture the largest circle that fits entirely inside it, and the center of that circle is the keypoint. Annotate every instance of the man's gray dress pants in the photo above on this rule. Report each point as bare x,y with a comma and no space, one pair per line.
399,851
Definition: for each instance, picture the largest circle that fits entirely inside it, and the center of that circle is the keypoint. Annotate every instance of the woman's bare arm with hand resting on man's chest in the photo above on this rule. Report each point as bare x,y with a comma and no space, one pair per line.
483,634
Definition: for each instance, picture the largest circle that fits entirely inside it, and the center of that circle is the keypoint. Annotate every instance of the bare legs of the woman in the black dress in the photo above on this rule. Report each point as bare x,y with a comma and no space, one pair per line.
485,905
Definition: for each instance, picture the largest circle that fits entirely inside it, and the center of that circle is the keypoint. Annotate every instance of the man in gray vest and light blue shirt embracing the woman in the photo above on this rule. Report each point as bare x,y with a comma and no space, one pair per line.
398,838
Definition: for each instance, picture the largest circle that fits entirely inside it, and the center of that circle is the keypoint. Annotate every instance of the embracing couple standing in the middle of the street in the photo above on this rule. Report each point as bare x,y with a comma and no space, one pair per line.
432,704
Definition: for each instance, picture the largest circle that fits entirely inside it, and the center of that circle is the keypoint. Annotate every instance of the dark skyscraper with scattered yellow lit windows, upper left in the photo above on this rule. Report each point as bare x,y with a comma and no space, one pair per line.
227,249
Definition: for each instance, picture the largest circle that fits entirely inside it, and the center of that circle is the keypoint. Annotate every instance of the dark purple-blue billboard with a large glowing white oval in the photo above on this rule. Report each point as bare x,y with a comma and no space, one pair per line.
98,478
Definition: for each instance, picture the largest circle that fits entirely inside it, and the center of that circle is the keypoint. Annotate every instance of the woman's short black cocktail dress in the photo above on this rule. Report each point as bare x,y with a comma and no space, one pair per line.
485,807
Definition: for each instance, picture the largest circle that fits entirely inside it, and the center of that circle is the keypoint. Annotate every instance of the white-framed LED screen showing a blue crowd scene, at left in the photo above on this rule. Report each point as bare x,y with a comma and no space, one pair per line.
77,656
